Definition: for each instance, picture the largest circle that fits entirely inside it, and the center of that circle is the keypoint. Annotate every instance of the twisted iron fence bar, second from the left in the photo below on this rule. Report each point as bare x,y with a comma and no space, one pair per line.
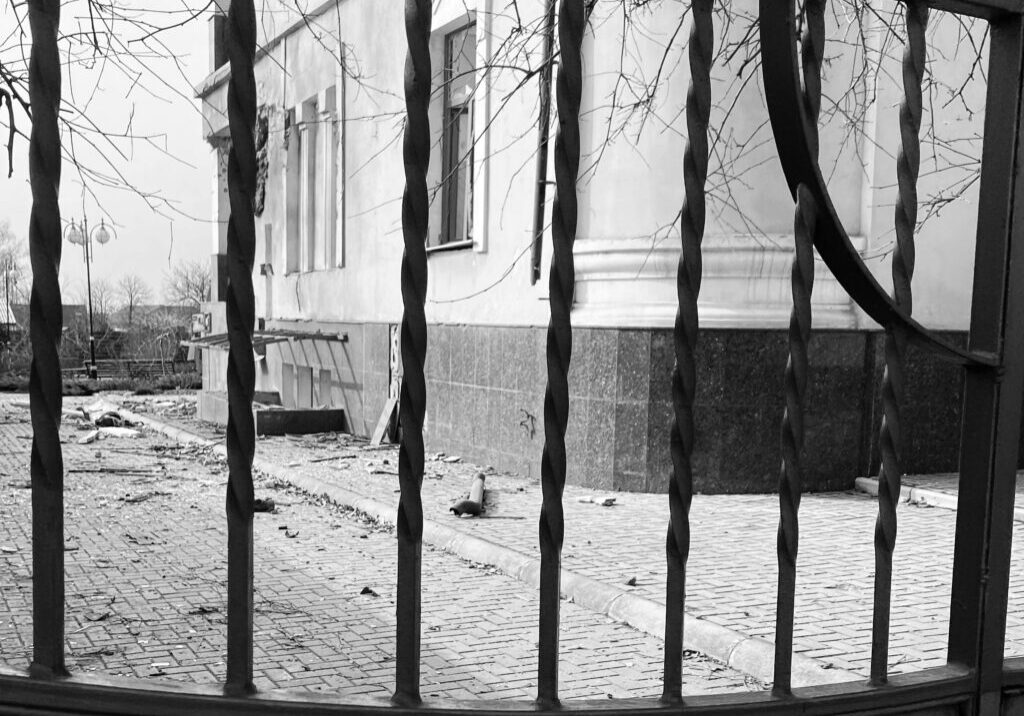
241,314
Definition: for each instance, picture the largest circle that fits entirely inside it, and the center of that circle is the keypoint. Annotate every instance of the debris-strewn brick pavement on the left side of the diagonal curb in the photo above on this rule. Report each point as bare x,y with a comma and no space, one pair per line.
146,588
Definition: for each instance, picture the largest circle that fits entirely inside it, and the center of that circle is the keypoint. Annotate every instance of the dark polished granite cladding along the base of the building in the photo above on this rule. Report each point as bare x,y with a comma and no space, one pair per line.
486,403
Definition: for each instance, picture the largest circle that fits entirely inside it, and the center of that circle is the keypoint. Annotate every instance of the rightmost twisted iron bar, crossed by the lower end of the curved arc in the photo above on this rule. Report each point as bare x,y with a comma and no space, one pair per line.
908,166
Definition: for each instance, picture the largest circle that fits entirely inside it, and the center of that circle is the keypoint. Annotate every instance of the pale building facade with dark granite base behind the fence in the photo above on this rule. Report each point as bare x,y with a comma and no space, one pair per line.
329,241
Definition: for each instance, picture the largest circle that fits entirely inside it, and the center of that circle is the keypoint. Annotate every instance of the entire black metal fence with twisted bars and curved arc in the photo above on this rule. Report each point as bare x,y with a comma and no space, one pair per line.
976,681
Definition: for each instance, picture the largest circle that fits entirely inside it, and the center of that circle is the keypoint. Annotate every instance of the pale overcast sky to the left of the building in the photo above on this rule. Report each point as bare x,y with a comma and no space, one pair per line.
159,106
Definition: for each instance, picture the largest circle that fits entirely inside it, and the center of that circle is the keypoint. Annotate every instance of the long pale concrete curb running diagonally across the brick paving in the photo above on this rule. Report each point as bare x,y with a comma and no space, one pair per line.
749,655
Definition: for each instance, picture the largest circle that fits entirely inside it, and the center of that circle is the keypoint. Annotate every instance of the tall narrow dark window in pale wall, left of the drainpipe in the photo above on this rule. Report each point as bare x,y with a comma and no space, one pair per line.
457,140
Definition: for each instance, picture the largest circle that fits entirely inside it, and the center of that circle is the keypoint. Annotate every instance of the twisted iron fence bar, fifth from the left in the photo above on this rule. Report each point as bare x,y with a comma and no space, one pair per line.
681,437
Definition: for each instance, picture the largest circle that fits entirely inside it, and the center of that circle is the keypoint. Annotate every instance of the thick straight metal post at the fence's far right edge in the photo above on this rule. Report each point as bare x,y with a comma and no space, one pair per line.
992,420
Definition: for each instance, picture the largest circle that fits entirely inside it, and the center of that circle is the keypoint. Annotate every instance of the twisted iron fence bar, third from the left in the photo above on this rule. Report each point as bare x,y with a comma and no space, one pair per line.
413,398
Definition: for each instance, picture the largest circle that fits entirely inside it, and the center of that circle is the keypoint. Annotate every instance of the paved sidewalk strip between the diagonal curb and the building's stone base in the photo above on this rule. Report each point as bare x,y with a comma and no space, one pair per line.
732,570
